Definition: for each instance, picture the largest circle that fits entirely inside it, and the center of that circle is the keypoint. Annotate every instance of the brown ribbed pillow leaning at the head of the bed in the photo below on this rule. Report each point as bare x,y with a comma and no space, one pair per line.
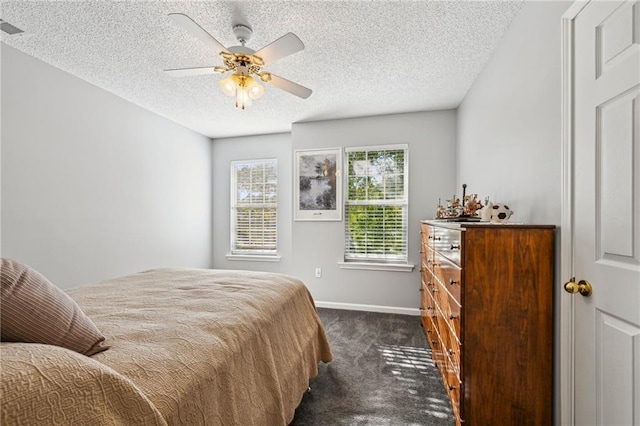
33,310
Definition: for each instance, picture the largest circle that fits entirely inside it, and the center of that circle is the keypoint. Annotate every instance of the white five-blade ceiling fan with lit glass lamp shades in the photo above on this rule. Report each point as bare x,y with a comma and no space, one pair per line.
245,64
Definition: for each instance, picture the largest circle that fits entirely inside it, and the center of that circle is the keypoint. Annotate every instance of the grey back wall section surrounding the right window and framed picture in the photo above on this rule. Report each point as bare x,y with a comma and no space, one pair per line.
431,138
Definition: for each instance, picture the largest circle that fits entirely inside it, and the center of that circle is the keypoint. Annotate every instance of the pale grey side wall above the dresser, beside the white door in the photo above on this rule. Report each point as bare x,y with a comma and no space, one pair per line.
509,136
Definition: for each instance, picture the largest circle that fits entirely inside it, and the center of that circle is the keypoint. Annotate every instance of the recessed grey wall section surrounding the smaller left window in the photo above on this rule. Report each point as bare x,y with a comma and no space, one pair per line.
245,148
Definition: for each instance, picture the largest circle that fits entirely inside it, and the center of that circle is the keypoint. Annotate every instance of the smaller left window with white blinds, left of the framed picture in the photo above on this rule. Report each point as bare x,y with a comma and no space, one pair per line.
254,207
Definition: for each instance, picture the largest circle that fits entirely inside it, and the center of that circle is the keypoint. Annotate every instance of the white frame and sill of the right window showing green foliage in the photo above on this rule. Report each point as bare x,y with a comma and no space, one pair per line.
378,261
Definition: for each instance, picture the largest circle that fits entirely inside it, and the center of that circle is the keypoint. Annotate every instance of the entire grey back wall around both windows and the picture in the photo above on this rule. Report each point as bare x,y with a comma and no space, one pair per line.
306,245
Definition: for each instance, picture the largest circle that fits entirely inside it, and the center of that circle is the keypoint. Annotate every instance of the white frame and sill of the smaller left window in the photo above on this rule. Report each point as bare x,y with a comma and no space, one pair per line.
257,254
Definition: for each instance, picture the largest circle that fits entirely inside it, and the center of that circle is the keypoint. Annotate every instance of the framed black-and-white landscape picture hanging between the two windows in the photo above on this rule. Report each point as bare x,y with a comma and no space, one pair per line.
317,185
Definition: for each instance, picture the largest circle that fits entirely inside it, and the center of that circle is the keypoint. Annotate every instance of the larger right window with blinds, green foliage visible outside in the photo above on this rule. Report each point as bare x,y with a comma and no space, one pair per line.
376,204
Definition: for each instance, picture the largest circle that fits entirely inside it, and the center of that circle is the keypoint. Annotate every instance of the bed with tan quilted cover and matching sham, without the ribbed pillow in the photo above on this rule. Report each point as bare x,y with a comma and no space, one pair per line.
185,347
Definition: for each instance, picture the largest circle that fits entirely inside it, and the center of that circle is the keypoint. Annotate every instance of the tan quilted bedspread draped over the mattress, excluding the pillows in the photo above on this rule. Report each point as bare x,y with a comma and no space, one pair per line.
214,347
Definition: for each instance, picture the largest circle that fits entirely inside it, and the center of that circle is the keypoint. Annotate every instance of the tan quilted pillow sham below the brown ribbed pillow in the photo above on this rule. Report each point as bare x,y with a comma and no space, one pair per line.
50,385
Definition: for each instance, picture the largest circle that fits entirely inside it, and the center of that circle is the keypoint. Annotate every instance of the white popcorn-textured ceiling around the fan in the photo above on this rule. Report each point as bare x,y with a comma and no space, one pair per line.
361,58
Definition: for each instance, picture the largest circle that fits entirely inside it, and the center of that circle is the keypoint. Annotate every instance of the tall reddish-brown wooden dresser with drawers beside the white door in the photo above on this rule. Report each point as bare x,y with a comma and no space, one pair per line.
487,311
